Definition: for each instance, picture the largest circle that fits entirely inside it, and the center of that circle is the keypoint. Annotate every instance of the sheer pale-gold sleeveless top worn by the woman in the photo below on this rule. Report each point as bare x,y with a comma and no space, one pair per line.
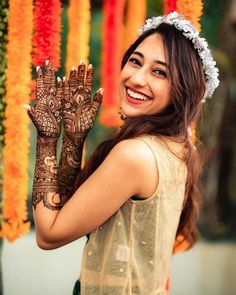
131,252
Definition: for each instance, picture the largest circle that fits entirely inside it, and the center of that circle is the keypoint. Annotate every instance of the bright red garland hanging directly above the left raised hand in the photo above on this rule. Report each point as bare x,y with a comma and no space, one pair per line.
47,36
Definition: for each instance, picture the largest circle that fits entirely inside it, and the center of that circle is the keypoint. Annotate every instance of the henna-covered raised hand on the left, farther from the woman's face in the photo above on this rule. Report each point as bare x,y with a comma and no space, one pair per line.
46,113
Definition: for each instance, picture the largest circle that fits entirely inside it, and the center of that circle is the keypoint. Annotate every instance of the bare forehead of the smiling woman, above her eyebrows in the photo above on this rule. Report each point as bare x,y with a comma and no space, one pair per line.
152,47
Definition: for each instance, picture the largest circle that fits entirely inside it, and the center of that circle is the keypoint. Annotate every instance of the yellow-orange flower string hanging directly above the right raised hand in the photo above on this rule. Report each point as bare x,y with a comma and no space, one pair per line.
79,15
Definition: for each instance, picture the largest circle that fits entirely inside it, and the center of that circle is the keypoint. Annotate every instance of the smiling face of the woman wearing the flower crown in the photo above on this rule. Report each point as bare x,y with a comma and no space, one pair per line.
144,87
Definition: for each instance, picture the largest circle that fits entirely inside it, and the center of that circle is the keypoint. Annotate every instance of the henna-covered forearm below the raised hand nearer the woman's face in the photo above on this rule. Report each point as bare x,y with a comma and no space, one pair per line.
70,164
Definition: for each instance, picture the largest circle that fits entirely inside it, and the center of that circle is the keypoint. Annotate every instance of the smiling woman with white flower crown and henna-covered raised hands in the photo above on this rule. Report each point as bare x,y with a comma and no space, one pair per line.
138,191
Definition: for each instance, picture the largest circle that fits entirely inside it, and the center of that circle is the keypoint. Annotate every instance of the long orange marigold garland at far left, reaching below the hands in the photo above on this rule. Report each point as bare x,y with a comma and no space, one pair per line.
15,177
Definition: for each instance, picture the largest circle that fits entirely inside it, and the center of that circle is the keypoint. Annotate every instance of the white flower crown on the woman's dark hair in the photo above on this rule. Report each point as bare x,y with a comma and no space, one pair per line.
190,32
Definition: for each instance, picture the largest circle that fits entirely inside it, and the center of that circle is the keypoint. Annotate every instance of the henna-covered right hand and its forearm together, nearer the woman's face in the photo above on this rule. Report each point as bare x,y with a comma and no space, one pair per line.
79,114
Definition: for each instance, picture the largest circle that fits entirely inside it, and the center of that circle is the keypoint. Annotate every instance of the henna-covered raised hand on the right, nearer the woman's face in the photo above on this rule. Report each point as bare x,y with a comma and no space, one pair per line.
79,112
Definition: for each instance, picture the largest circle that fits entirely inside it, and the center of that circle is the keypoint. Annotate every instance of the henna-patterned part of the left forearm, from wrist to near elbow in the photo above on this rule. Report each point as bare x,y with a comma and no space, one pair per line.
45,186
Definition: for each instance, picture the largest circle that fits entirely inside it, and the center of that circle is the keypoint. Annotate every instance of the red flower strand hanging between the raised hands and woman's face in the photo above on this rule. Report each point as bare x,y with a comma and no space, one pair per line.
112,48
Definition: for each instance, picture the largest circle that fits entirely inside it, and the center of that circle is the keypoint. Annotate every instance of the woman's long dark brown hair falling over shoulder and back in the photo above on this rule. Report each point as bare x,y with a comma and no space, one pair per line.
187,90
